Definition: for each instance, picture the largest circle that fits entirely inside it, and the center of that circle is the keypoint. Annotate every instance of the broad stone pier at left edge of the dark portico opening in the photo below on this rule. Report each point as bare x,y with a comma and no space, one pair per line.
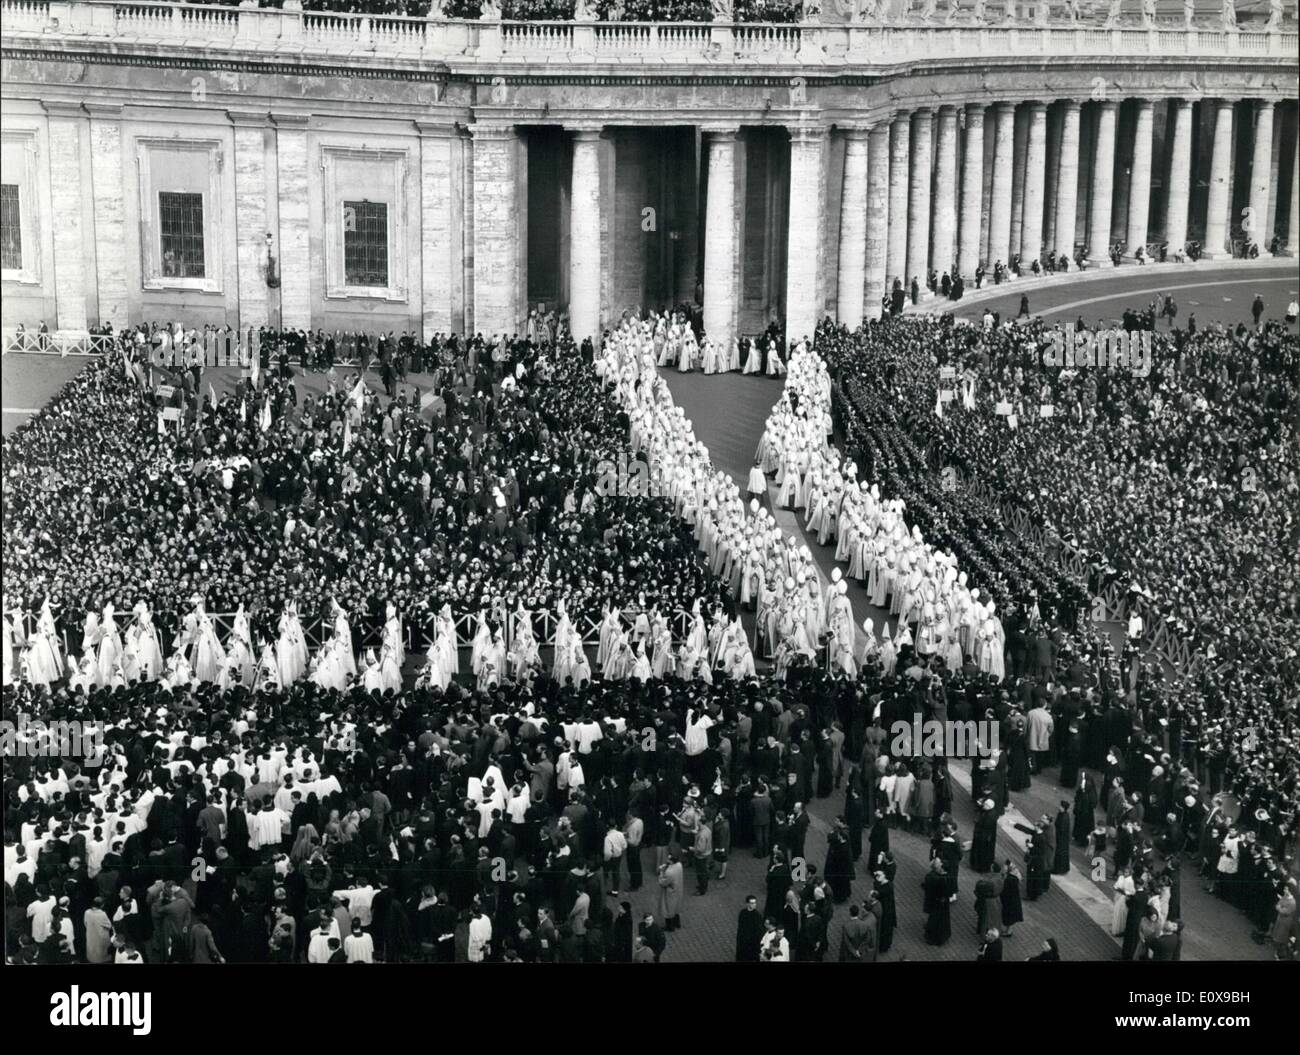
496,211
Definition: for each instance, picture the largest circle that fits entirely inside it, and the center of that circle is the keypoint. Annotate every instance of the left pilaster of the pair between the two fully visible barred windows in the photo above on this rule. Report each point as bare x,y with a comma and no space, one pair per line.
252,223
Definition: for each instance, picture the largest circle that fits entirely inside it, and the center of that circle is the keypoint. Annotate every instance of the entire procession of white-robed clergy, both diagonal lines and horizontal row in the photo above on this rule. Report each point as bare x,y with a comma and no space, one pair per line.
765,570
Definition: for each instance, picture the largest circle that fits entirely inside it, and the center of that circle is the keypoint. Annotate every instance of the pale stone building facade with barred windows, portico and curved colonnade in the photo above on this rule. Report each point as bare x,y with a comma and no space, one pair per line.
259,167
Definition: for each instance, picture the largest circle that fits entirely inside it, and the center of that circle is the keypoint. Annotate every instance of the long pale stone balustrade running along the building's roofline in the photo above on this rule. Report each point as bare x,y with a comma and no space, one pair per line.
285,34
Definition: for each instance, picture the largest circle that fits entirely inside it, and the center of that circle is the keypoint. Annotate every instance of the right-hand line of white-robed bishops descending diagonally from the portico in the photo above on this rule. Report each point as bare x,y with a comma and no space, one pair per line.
921,584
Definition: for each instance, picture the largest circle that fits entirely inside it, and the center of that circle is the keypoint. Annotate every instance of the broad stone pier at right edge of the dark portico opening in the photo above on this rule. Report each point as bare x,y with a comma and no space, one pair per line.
804,232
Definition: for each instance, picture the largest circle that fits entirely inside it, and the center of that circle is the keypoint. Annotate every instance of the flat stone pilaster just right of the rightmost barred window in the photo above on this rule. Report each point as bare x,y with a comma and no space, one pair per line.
439,242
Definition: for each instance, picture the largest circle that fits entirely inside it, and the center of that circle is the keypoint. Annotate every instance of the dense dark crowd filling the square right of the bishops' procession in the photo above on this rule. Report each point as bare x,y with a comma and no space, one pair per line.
1145,474
